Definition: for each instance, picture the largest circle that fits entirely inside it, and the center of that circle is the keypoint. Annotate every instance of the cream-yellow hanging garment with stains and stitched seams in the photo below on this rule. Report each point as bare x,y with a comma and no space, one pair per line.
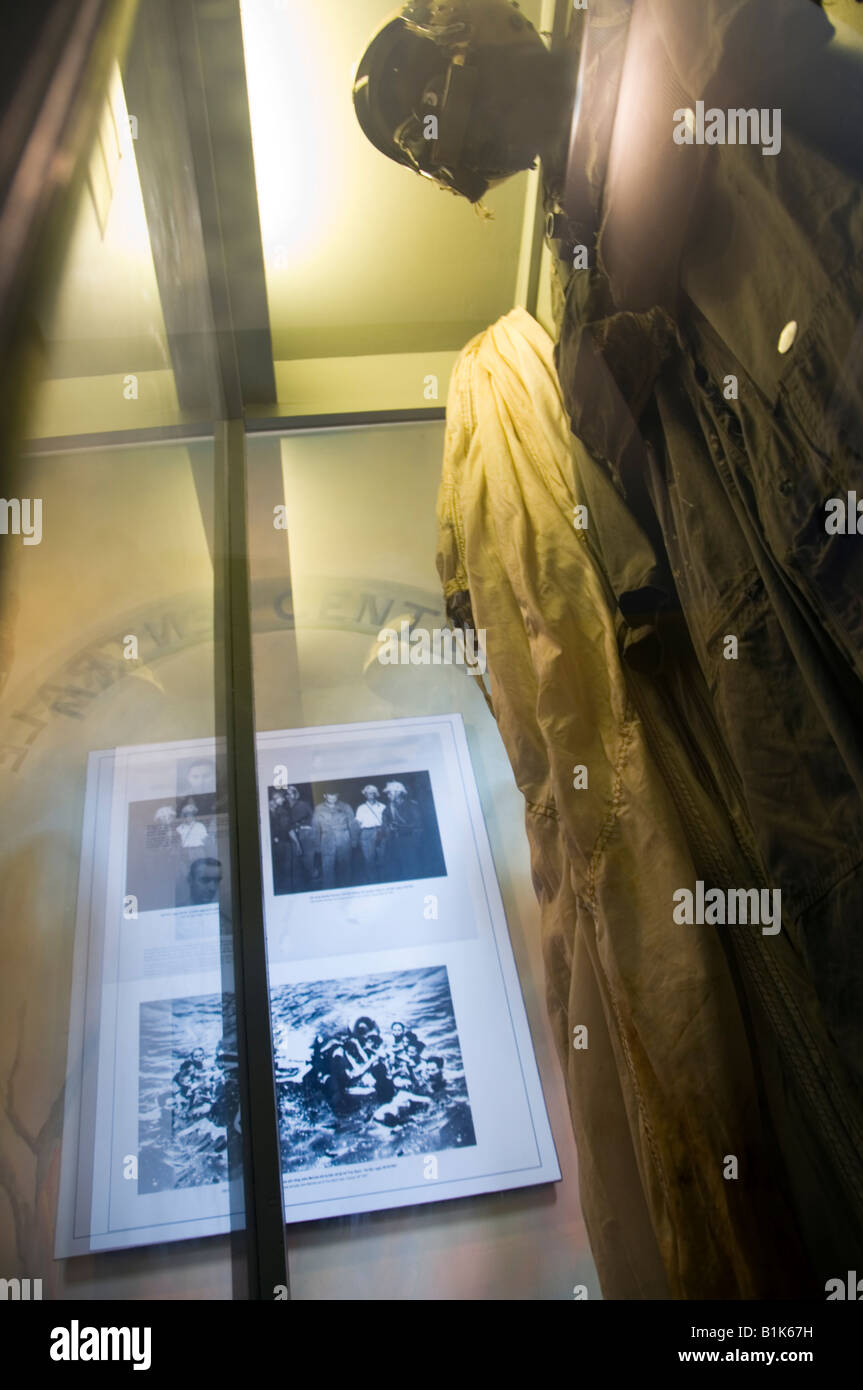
654,1028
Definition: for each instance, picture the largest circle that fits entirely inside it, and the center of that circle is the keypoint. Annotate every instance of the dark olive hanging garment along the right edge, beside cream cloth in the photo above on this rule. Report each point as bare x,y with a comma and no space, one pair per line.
711,361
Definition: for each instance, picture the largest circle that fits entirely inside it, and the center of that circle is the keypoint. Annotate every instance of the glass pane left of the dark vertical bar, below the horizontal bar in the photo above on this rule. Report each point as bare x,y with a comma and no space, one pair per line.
115,874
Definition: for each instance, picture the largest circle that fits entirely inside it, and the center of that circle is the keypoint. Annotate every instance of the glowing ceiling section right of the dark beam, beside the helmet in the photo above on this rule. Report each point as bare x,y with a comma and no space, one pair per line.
362,256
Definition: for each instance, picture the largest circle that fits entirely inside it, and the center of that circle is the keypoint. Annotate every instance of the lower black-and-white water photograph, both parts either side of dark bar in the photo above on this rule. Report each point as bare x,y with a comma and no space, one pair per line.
366,1068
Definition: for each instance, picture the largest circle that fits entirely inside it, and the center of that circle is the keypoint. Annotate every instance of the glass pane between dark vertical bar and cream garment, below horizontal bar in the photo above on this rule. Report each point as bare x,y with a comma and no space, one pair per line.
366,932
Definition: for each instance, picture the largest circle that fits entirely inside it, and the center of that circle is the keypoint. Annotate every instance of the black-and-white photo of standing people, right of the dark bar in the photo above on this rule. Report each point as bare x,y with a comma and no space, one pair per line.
352,832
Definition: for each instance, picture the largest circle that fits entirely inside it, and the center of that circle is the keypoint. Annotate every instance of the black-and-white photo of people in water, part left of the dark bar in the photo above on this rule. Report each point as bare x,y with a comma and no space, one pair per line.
188,1096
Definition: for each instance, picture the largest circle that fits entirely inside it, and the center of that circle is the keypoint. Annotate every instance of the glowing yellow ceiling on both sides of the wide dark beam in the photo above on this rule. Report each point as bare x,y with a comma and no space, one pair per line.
362,259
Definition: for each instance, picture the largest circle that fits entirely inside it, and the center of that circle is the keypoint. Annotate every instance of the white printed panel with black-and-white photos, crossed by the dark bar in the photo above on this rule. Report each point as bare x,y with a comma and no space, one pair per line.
404,1064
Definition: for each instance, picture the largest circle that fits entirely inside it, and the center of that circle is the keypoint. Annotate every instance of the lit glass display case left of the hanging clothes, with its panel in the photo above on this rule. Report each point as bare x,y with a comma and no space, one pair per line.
273,1014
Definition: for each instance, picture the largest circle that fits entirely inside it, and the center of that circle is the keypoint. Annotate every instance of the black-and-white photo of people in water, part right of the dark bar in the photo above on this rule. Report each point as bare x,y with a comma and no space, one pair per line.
368,1070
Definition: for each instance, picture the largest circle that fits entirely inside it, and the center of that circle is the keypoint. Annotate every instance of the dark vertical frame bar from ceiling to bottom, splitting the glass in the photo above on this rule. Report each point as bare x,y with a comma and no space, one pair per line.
213,288
